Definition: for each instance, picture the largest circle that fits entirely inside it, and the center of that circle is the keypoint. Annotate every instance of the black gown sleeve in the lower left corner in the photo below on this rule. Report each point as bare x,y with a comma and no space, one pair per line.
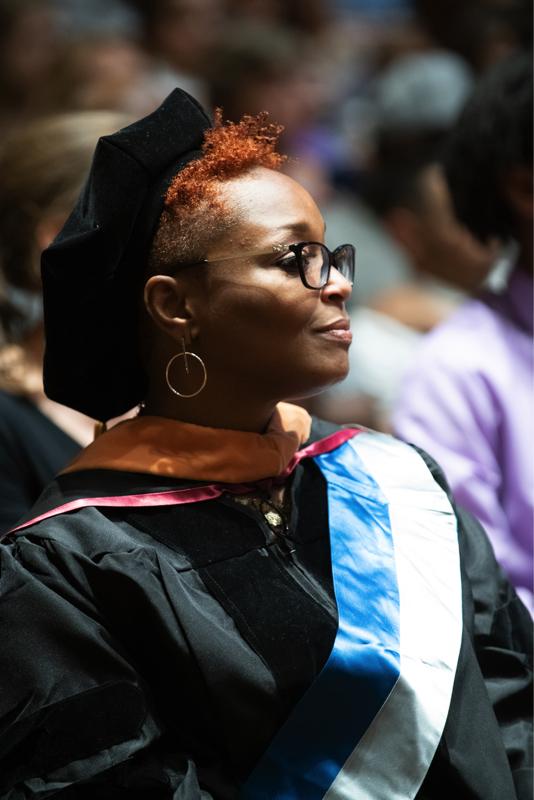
76,719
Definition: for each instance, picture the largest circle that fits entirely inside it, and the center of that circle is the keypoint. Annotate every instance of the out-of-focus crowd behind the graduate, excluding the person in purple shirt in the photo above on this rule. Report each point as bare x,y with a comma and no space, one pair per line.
367,91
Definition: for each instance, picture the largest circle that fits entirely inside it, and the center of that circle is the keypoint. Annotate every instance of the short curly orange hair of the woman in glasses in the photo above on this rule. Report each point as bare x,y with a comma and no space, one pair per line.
195,215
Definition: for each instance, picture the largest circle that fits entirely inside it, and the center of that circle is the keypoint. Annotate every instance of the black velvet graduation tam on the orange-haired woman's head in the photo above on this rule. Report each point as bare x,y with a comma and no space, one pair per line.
92,271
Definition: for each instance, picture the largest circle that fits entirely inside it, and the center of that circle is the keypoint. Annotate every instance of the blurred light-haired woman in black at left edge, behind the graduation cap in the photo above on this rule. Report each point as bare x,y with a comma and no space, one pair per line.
42,169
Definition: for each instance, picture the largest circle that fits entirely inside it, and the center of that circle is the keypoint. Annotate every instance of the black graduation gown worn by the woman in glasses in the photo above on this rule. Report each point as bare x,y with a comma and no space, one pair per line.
153,653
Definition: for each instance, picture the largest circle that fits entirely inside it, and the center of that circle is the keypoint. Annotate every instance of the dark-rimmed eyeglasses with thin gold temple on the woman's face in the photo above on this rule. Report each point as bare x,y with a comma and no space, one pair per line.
312,260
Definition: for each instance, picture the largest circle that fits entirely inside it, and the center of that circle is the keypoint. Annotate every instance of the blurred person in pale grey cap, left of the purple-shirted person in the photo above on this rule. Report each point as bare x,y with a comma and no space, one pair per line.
418,99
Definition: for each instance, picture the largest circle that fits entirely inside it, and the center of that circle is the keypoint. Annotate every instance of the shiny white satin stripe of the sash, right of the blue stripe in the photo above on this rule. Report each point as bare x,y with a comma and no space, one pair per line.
393,757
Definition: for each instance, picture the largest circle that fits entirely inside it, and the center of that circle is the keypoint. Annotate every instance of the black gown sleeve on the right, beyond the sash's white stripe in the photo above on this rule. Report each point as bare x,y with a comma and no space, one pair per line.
501,629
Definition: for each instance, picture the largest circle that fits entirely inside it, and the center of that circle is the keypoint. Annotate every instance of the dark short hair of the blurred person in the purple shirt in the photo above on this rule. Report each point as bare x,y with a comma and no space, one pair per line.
493,134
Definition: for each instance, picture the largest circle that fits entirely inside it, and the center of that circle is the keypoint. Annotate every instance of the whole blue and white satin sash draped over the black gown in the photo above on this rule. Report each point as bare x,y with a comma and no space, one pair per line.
368,727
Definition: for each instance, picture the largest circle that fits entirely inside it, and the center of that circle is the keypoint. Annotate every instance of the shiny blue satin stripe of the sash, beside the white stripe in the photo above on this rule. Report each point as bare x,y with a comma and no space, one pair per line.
315,741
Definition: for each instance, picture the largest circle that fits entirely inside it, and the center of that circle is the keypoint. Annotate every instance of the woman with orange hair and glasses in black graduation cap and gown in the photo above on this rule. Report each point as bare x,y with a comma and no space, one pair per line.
228,598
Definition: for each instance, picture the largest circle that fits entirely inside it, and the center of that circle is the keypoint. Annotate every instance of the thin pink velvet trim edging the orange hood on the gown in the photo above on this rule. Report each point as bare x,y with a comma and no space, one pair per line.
175,497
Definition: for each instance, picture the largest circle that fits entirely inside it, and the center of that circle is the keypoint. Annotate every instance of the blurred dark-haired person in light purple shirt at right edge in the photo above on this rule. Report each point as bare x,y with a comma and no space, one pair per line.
468,398
